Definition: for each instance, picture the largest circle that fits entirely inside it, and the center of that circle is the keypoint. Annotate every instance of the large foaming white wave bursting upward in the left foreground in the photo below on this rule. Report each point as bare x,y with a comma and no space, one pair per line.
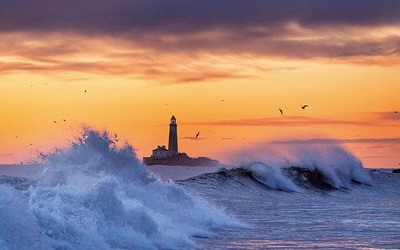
95,195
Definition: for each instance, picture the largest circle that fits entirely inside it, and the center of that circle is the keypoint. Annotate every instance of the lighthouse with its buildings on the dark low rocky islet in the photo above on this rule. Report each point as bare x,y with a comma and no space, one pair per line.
171,156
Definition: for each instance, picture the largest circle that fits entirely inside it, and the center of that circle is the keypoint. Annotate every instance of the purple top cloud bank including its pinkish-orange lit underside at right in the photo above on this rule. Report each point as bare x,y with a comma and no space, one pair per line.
291,28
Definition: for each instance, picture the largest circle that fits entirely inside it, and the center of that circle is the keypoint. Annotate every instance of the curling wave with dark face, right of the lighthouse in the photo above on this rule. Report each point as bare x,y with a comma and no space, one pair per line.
330,168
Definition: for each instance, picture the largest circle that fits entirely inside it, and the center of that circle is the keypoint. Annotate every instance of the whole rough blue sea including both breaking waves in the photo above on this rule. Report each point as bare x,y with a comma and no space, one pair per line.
97,195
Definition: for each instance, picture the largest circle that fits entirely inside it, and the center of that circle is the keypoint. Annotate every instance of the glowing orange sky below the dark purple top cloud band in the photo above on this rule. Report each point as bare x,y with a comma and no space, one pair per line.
229,92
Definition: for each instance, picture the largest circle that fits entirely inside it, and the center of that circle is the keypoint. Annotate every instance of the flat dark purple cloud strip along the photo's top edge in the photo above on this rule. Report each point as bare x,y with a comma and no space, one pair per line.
187,16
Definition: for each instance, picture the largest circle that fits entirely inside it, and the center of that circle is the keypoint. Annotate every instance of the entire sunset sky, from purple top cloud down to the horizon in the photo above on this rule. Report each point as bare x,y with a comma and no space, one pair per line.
223,68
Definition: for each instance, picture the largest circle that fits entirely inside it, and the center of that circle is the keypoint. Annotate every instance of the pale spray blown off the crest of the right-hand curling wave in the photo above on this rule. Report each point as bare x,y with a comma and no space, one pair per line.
338,166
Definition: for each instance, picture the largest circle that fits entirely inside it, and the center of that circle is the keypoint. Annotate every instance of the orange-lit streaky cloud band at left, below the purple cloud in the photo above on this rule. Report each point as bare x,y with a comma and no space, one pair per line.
114,56
